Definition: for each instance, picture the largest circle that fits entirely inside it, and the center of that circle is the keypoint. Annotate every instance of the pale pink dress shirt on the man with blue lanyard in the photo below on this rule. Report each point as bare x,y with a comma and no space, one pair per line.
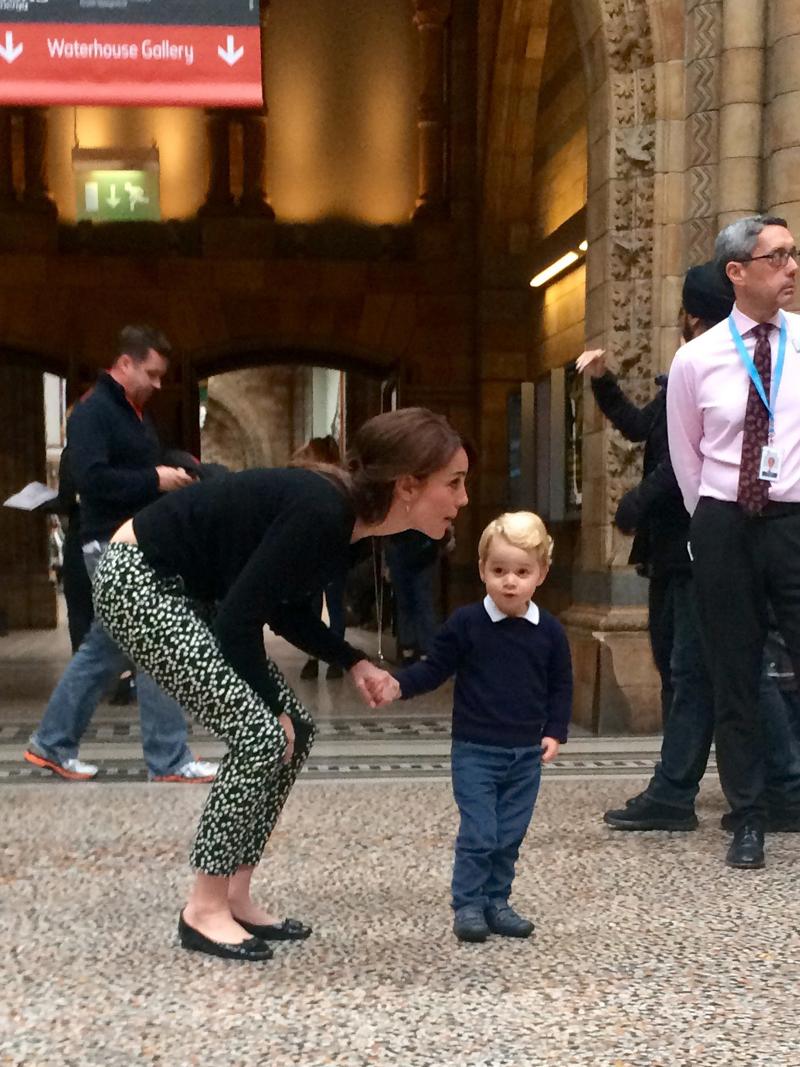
707,397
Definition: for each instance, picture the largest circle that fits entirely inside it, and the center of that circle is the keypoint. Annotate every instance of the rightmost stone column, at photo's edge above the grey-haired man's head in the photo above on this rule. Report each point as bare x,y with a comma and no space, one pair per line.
782,140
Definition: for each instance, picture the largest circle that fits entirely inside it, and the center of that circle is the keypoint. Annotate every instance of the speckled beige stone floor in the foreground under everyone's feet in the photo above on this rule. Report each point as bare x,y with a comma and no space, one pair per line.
648,953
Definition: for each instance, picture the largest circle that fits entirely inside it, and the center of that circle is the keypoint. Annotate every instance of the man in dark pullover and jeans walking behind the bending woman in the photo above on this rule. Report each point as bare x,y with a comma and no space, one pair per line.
115,456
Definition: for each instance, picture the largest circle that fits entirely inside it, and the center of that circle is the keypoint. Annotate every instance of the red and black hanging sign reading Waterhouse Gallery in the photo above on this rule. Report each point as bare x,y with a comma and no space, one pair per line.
193,53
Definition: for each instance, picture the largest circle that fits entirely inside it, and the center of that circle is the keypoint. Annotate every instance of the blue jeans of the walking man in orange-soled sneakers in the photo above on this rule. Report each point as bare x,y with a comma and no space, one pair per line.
94,666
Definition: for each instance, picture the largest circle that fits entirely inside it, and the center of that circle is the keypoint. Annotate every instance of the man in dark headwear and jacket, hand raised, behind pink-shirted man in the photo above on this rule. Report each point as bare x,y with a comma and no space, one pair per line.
654,512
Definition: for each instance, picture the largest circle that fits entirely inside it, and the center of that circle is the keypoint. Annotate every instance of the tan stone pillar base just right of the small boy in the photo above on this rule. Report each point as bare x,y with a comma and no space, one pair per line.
617,686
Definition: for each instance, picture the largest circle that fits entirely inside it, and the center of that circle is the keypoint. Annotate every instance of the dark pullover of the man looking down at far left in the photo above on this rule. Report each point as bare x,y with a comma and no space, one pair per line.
114,455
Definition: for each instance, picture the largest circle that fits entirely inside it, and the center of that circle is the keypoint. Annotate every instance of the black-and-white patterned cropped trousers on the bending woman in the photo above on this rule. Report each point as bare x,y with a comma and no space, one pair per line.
159,627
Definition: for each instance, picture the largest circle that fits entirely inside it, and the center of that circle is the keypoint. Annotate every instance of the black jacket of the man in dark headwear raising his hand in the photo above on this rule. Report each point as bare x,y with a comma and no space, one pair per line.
655,508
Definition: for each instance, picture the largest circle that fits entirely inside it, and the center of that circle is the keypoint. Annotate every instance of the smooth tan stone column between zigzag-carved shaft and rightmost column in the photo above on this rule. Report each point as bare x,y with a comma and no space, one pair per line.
742,110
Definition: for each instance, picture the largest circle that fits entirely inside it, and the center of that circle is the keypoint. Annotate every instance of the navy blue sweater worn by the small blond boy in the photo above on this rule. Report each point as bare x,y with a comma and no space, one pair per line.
514,678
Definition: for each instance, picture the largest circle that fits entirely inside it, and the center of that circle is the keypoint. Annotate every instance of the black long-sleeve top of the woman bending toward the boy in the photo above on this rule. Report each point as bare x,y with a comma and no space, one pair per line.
260,545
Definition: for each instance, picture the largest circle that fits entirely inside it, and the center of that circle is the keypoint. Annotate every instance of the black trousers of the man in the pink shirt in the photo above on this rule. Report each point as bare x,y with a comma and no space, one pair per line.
742,565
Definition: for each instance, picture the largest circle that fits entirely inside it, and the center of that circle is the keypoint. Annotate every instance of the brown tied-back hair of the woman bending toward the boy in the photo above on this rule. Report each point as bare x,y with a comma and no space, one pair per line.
410,441
